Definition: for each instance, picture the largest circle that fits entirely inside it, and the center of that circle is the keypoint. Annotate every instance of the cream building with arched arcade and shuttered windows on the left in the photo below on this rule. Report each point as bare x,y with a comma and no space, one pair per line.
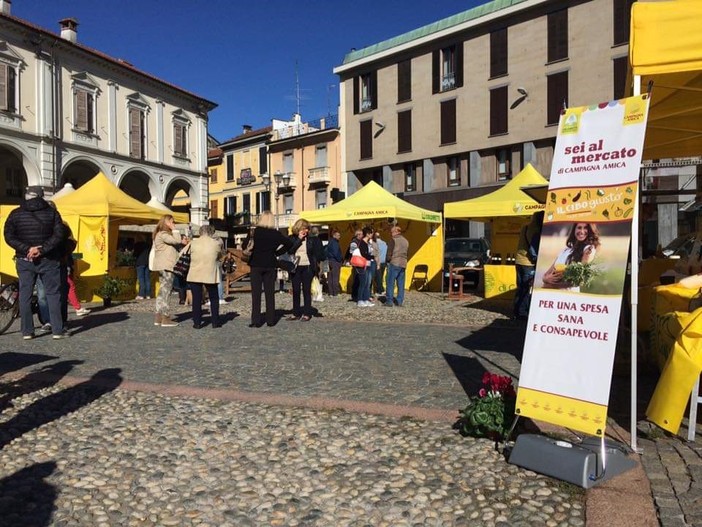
68,111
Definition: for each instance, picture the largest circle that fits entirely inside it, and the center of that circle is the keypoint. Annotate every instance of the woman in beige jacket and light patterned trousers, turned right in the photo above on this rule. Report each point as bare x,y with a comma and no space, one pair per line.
166,240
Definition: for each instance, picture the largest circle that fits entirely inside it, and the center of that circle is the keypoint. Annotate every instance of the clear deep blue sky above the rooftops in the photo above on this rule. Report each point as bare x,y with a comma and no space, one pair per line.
241,55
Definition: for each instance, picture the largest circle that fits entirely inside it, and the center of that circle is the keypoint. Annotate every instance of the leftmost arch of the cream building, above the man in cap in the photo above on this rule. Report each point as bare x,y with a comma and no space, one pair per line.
20,170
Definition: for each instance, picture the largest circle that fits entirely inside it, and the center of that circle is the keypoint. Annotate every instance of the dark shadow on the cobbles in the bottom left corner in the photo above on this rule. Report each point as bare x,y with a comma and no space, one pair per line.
26,499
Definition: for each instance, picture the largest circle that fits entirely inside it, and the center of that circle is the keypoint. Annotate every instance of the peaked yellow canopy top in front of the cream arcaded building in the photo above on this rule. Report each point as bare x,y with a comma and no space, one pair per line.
100,197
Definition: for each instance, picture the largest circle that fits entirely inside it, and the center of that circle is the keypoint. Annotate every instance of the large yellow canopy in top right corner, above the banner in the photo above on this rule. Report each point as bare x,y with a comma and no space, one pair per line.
665,47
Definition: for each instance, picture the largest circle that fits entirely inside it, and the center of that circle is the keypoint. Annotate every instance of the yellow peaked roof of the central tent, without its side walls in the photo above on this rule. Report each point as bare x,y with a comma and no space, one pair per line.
370,202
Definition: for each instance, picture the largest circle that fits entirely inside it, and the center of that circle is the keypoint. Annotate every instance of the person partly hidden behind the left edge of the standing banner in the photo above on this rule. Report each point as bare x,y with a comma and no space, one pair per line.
525,264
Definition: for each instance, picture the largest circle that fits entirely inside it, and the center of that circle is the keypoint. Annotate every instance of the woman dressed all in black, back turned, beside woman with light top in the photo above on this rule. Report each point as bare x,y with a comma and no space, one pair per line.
268,244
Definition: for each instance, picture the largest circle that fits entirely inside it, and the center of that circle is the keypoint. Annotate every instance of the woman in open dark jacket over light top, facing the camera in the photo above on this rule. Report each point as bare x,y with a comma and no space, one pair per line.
306,253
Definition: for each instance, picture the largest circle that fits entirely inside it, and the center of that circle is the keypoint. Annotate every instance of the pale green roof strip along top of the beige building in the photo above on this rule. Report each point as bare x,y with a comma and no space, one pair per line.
435,27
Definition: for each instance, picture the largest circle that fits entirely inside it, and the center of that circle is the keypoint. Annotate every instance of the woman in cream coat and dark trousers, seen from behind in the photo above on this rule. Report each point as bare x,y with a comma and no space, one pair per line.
205,271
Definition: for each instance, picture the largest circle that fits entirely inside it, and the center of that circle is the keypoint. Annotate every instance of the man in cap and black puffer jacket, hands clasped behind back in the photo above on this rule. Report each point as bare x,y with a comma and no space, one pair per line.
36,232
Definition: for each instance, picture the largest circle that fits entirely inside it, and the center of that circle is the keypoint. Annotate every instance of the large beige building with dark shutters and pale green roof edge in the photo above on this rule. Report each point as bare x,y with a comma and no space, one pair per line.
452,110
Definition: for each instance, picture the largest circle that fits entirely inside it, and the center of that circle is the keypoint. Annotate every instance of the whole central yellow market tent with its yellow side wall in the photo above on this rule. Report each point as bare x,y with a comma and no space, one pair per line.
373,205
